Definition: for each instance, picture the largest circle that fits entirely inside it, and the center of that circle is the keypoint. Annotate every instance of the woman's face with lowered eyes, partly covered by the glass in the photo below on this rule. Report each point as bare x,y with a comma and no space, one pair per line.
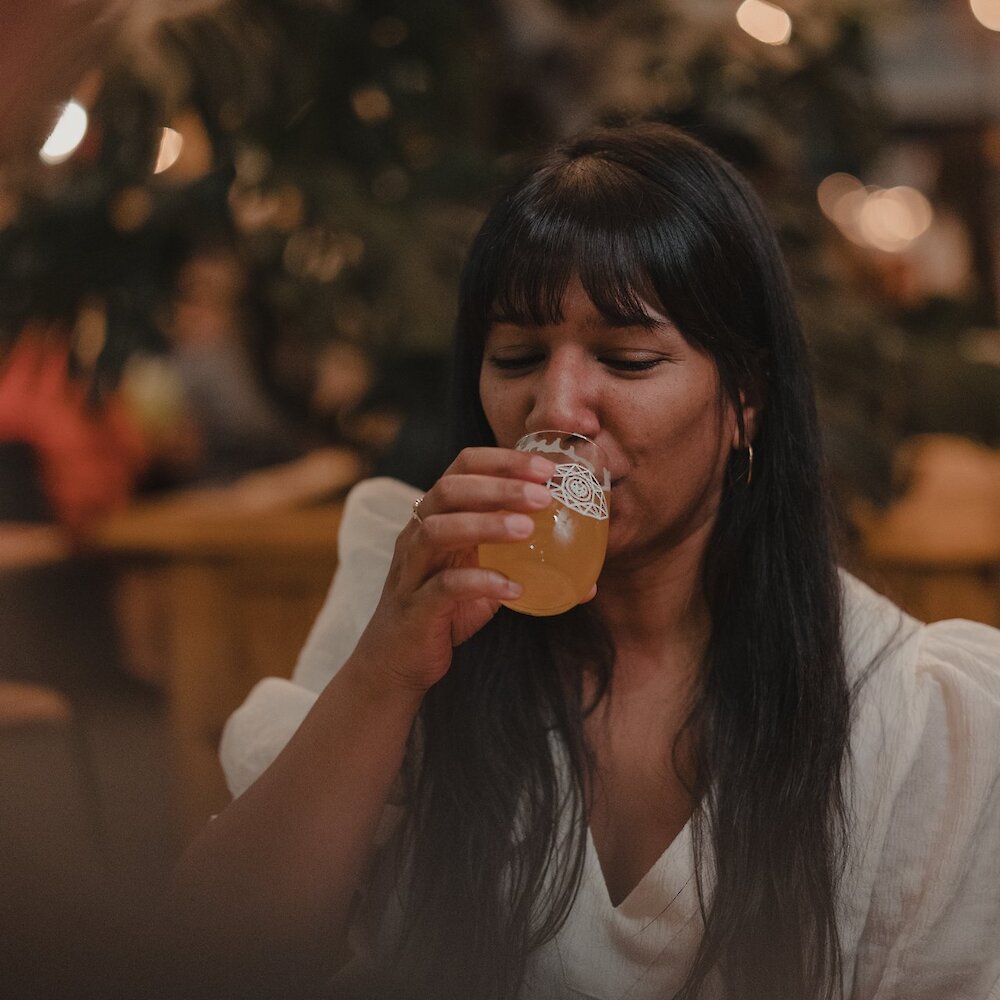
648,397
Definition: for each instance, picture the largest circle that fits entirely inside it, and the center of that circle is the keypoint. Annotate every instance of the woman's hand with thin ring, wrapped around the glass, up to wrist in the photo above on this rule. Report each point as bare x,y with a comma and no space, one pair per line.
436,595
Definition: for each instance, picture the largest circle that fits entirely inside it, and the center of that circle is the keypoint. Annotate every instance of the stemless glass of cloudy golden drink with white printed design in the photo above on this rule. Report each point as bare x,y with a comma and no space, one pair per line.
559,564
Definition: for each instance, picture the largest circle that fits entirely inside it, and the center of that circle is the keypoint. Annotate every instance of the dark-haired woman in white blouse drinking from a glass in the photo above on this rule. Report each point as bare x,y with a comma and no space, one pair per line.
731,773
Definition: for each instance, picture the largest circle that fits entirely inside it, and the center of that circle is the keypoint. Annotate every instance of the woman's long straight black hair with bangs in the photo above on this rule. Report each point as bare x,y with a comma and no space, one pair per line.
497,832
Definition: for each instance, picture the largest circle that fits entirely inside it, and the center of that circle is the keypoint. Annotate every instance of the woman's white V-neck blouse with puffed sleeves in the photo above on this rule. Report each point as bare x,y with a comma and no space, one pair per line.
920,911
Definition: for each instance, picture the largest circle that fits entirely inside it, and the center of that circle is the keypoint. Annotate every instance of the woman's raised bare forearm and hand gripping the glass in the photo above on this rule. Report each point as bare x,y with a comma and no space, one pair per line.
253,886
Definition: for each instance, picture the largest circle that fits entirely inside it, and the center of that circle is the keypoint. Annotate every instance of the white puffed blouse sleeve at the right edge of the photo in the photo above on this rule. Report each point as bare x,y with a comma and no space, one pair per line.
933,926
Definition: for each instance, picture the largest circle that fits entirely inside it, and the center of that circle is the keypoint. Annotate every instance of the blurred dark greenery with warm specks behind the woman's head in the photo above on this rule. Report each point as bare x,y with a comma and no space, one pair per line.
354,145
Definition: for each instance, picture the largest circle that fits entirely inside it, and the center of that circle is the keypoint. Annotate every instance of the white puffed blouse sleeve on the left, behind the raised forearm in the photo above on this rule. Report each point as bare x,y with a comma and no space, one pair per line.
374,513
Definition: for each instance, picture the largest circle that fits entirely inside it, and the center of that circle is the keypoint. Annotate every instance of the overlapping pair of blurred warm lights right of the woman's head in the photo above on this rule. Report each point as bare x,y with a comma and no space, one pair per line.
887,219
